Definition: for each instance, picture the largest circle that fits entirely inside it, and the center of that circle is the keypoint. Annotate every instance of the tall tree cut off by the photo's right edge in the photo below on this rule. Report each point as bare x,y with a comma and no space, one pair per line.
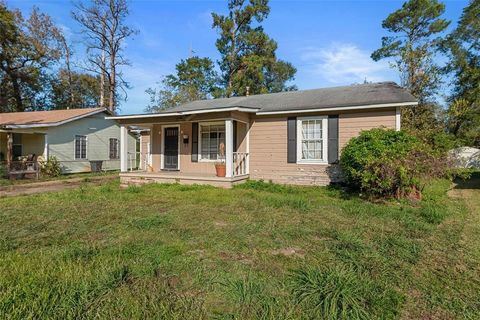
462,47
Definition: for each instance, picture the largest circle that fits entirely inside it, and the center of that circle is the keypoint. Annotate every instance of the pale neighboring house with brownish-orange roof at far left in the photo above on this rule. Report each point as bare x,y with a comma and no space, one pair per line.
75,137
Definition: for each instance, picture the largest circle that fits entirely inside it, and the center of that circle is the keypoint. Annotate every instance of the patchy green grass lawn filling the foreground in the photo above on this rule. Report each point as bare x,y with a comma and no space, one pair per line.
258,251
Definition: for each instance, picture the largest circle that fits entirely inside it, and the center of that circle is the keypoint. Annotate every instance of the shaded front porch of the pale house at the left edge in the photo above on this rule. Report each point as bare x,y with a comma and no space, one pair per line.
20,152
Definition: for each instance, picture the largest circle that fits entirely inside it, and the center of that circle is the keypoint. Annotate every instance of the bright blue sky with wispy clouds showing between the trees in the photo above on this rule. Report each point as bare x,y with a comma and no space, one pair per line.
329,42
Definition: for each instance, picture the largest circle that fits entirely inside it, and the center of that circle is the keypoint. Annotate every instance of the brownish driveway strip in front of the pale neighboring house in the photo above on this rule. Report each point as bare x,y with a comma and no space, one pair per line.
52,186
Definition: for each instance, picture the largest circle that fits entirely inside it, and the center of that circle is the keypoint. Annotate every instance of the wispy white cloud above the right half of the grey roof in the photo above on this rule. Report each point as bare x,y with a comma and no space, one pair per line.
344,63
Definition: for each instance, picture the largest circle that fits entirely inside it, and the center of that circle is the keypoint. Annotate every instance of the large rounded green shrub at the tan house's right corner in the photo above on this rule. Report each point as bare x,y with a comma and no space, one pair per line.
384,163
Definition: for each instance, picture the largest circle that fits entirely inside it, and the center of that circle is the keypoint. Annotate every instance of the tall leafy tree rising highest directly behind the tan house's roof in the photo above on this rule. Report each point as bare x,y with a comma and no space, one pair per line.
248,53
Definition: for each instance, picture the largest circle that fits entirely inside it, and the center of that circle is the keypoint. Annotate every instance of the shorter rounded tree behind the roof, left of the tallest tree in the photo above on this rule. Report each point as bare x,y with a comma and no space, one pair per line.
195,79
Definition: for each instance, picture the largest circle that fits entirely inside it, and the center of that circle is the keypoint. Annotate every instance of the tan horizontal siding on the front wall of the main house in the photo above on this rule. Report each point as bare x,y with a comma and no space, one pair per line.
268,147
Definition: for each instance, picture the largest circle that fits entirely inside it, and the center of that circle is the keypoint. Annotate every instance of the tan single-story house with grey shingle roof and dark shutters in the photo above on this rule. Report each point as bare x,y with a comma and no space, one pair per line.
289,137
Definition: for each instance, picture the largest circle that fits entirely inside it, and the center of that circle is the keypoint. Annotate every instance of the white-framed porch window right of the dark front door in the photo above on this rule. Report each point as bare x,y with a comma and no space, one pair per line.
211,136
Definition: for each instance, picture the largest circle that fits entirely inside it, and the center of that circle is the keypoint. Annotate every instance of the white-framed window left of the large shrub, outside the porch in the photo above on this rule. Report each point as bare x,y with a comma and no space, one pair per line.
312,139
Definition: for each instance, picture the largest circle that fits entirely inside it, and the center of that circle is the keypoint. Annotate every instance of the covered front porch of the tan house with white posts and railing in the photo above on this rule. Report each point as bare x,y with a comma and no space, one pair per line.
185,149
